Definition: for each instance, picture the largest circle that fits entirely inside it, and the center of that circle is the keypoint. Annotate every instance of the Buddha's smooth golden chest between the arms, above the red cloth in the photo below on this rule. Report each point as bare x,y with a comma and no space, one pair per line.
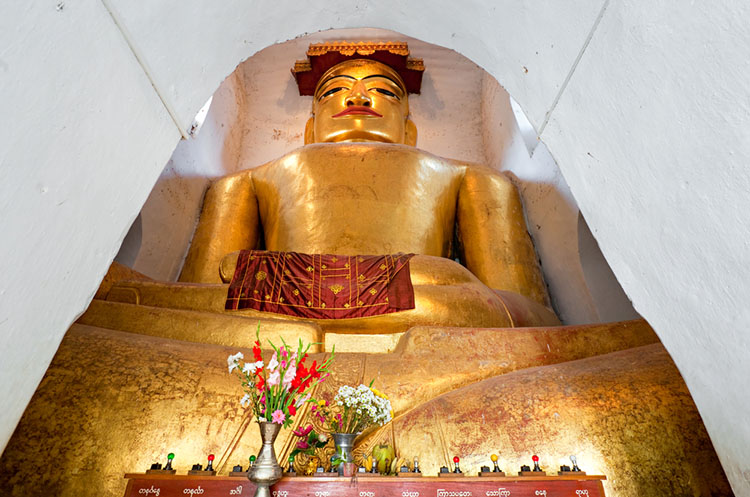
358,199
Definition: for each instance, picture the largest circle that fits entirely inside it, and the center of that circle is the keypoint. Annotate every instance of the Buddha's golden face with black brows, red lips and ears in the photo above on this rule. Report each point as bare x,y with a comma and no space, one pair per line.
360,100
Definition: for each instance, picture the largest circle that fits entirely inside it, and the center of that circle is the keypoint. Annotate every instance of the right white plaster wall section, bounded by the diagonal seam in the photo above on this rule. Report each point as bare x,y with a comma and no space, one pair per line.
651,134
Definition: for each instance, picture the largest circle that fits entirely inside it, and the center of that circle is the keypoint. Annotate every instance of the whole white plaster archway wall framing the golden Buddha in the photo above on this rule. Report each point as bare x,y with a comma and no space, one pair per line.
659,101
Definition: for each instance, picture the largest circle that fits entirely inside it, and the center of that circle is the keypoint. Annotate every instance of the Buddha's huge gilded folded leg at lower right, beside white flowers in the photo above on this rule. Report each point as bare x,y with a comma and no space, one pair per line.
627,415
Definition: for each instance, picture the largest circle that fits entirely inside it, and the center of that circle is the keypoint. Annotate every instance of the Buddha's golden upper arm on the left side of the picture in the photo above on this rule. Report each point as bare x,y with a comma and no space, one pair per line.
229,221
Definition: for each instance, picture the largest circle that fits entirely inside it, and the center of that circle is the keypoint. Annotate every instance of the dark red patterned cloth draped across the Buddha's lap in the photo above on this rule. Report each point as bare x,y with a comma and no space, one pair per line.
321,286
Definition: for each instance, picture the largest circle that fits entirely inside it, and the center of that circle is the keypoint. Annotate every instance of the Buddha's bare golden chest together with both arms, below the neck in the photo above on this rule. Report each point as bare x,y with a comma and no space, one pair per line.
396,199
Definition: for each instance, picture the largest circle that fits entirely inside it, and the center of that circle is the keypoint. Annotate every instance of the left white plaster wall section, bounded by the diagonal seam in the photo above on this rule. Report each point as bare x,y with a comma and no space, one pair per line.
83,139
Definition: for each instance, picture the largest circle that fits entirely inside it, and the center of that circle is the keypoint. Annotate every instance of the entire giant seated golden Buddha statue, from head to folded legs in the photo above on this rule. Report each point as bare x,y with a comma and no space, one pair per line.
462,380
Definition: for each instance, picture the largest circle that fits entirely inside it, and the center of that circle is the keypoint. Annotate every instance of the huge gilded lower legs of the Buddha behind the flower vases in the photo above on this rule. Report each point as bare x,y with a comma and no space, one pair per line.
114,402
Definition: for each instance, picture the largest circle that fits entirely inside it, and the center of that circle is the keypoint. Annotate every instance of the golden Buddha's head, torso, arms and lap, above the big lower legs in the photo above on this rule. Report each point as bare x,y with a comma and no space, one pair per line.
360,186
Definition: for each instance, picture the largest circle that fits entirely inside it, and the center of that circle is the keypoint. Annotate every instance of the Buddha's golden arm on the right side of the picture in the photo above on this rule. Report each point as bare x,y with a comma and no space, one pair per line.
493,241
